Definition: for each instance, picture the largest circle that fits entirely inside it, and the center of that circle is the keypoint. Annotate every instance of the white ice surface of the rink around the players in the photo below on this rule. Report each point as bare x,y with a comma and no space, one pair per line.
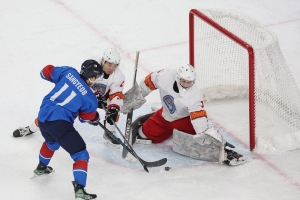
34,33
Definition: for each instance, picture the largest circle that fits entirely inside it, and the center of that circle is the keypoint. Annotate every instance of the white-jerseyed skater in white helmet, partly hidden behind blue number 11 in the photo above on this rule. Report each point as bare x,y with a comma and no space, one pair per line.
109,91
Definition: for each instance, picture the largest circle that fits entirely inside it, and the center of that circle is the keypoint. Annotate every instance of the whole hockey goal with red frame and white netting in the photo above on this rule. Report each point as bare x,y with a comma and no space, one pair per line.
236,57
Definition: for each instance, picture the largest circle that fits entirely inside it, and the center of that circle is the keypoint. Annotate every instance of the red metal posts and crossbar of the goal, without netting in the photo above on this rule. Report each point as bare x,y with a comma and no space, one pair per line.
251,56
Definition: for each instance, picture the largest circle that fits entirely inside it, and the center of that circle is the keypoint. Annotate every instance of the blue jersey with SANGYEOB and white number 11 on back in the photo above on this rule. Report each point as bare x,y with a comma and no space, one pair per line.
70,97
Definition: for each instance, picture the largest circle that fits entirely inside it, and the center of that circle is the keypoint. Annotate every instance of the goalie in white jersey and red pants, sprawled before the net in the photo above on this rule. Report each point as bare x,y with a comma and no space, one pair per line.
183,116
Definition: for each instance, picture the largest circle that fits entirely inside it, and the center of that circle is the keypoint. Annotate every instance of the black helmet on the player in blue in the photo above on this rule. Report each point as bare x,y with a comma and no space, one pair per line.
91,68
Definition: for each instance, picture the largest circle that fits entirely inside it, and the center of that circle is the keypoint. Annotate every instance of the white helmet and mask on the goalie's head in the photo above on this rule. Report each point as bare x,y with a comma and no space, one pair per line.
185,78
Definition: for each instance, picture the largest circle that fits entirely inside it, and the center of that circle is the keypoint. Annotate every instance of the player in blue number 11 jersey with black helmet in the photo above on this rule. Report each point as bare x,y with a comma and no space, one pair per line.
71,97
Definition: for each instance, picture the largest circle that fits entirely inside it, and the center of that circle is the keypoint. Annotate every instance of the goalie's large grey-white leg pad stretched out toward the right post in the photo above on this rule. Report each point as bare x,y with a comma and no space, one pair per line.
203,147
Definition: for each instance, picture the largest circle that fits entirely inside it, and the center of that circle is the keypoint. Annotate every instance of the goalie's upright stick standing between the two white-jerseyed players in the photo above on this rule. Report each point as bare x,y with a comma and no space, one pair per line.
128,128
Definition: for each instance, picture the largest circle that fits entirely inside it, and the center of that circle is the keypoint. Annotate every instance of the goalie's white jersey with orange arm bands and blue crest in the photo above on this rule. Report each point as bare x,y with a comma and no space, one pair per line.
174,106
